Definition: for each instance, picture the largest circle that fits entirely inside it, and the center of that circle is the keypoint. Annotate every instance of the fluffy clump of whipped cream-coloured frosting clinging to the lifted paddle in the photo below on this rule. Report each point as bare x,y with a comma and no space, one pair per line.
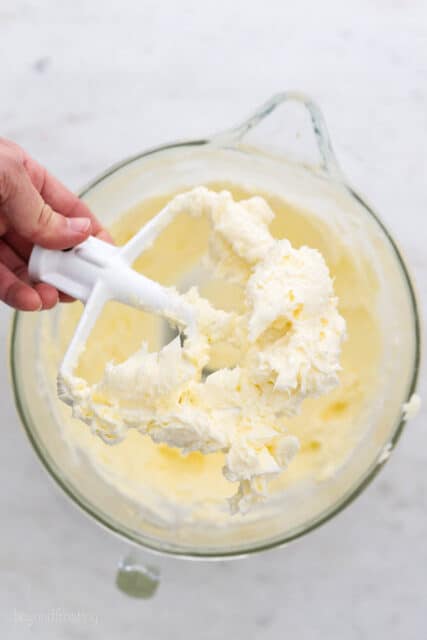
286,340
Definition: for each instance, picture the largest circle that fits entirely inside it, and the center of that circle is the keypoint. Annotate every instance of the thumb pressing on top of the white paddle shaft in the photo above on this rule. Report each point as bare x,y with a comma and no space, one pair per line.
24,210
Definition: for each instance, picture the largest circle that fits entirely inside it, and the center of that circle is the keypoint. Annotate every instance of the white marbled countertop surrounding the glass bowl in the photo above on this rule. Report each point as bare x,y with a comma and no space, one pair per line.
84,84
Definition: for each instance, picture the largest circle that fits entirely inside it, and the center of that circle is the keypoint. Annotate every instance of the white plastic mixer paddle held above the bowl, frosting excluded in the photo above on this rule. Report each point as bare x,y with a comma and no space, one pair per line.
95,272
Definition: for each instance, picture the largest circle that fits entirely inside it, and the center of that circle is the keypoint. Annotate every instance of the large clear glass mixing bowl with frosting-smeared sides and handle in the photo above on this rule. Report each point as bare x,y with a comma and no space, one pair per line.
283,149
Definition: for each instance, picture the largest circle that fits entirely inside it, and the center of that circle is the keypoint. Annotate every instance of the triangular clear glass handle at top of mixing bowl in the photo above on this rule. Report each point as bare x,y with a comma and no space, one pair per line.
291,125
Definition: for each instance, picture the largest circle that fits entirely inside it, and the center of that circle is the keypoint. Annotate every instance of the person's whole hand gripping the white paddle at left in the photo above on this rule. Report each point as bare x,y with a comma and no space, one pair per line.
35,208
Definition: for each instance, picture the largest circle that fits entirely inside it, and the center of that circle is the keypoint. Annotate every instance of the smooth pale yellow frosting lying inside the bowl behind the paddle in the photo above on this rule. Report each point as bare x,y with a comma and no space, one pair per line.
176,488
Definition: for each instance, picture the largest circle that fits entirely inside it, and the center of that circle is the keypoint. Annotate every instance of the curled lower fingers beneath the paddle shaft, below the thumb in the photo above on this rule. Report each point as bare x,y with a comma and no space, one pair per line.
15,284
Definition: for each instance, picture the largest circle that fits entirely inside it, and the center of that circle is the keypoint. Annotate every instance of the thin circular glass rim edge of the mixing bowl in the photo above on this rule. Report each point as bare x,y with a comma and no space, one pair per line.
211,553
